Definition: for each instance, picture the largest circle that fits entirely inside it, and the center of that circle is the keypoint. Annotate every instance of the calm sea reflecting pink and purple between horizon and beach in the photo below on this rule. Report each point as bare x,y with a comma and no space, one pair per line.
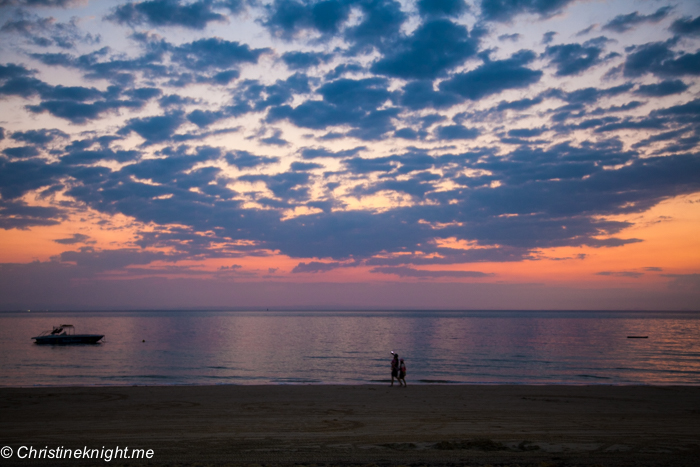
196,347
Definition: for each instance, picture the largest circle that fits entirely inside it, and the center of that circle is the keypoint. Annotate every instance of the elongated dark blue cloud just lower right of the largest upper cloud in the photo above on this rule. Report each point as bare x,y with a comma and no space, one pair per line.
494,77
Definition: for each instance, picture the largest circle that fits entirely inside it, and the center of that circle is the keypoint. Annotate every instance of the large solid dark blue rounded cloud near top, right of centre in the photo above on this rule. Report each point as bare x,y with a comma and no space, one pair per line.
434,48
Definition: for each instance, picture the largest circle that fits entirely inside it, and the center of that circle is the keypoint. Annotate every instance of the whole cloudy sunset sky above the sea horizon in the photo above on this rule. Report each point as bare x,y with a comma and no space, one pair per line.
435,154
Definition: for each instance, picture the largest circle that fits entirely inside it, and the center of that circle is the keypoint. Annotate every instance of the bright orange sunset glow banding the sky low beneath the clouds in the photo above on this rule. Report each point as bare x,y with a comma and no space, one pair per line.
670,245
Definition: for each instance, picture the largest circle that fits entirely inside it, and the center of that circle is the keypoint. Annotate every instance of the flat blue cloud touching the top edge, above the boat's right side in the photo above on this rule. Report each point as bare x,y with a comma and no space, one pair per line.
194,15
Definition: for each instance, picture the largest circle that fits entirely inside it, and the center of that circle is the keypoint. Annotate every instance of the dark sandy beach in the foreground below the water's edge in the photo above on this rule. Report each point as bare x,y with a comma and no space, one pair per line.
359,425
